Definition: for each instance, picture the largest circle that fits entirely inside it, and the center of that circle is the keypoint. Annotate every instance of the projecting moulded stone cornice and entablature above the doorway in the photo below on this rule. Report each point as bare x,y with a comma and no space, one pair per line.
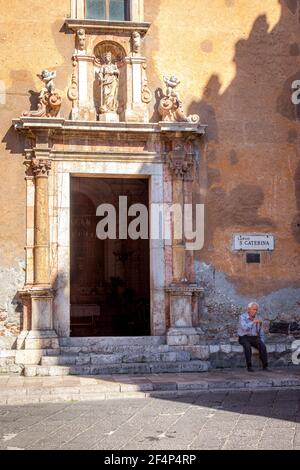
64,139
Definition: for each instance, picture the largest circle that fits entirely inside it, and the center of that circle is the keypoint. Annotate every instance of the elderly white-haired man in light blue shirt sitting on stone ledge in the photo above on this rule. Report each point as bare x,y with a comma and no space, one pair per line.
251,334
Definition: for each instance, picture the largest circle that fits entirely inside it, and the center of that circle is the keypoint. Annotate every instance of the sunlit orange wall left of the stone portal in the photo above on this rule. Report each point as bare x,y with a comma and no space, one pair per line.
30,40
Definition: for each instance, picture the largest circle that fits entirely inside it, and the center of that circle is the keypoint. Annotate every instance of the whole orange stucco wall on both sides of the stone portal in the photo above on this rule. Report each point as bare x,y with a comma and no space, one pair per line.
236,60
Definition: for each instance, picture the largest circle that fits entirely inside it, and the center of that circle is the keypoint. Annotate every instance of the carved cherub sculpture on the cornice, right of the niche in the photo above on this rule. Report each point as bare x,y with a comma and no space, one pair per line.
170,106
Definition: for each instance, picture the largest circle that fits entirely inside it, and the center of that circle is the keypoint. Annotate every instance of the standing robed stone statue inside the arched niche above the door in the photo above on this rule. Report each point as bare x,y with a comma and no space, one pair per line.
109,81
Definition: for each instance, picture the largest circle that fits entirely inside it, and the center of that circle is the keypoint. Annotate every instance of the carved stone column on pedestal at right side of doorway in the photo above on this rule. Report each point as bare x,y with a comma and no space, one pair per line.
183,291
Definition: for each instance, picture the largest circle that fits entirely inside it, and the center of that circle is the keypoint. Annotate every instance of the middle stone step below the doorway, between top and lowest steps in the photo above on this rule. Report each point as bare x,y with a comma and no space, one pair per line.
115,358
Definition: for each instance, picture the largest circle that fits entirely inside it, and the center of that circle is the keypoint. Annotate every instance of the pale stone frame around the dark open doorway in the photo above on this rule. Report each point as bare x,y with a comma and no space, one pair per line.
60,234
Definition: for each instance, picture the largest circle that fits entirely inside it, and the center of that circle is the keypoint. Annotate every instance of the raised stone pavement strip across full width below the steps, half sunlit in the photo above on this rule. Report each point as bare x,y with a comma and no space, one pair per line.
22,390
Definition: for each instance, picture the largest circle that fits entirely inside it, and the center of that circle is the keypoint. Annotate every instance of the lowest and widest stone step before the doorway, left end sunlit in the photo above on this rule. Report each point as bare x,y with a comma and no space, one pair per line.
110,369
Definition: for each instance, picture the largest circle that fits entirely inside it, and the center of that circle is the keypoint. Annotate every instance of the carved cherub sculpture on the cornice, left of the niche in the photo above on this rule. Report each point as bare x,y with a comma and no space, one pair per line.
49,101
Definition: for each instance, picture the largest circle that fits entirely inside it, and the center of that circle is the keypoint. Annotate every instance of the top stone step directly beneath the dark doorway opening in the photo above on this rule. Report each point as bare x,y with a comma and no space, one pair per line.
106,342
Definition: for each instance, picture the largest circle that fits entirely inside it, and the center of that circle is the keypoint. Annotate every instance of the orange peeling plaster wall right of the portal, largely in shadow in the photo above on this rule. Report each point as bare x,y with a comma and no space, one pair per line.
237,60
